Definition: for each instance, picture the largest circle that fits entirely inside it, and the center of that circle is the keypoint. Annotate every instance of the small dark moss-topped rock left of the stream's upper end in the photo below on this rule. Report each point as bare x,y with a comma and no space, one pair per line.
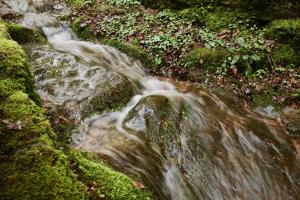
24,35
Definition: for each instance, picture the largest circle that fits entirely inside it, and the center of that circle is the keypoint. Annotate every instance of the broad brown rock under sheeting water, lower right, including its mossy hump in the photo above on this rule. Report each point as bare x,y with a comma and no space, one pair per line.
213,149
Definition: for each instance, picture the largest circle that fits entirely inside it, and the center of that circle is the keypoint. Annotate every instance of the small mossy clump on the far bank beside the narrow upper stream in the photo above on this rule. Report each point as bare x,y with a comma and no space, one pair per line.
85,32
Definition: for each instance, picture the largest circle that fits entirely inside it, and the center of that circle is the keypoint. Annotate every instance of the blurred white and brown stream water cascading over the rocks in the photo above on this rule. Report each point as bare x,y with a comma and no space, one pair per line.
185,142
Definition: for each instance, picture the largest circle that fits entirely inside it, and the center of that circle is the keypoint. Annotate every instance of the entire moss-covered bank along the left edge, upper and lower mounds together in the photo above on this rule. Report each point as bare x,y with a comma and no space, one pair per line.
35,165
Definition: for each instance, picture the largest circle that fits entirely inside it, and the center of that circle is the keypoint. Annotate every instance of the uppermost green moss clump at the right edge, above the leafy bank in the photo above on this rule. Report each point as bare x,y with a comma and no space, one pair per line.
285,31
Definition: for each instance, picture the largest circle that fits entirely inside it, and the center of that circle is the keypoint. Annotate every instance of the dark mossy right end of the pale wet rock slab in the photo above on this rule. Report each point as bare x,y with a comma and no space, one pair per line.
109,95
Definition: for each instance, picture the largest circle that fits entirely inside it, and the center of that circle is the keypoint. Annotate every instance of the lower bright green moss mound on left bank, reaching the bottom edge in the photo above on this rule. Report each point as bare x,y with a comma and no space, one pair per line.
37,170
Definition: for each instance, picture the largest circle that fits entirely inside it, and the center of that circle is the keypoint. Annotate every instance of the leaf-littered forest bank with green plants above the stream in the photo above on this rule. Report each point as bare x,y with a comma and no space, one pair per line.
216,47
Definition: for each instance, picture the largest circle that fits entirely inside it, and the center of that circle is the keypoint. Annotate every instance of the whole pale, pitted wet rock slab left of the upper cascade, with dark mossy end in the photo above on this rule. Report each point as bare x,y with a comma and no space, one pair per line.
64,80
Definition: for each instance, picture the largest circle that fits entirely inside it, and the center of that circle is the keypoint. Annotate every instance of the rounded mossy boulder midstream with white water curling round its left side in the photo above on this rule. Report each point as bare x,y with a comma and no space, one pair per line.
157,120
